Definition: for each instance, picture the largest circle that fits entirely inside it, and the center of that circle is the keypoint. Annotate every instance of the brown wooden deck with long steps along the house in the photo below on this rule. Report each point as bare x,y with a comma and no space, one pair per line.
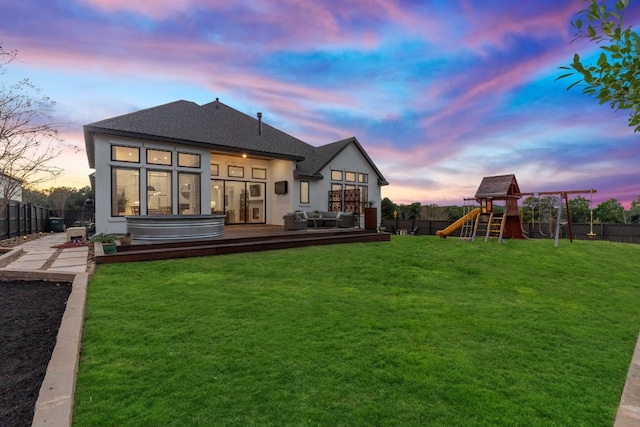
241,238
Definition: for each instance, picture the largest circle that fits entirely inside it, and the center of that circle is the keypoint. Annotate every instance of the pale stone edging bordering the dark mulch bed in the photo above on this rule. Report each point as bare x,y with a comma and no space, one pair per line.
54,406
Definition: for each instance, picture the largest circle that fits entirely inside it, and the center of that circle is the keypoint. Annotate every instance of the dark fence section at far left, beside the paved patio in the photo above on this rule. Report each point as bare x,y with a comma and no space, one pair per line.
20,218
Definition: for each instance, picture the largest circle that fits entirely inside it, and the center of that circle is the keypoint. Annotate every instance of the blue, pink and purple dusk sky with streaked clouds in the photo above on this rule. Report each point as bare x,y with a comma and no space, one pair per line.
440,93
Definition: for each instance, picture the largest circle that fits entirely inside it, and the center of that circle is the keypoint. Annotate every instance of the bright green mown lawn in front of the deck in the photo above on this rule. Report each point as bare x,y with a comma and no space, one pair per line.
417,331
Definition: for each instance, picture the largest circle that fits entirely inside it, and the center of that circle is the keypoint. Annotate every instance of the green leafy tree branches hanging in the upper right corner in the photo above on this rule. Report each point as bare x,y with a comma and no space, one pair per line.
614,78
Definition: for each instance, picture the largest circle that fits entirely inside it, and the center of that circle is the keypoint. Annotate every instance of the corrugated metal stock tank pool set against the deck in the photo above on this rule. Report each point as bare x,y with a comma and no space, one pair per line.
174,227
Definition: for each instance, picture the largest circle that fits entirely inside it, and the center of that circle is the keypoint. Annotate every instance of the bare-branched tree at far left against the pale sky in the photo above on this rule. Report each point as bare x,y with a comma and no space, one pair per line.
29,139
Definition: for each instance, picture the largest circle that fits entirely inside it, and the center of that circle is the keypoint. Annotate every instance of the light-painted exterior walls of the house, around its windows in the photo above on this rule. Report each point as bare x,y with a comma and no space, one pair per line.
349,161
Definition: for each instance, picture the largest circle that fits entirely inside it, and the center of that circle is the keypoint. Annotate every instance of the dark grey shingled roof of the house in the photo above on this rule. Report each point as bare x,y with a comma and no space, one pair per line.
219,127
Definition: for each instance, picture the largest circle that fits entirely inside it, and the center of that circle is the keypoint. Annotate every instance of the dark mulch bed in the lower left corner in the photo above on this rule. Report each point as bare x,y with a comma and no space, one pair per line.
30,315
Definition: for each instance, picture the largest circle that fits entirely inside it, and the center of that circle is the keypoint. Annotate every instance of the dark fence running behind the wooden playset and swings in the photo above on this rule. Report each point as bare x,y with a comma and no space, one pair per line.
623,233
